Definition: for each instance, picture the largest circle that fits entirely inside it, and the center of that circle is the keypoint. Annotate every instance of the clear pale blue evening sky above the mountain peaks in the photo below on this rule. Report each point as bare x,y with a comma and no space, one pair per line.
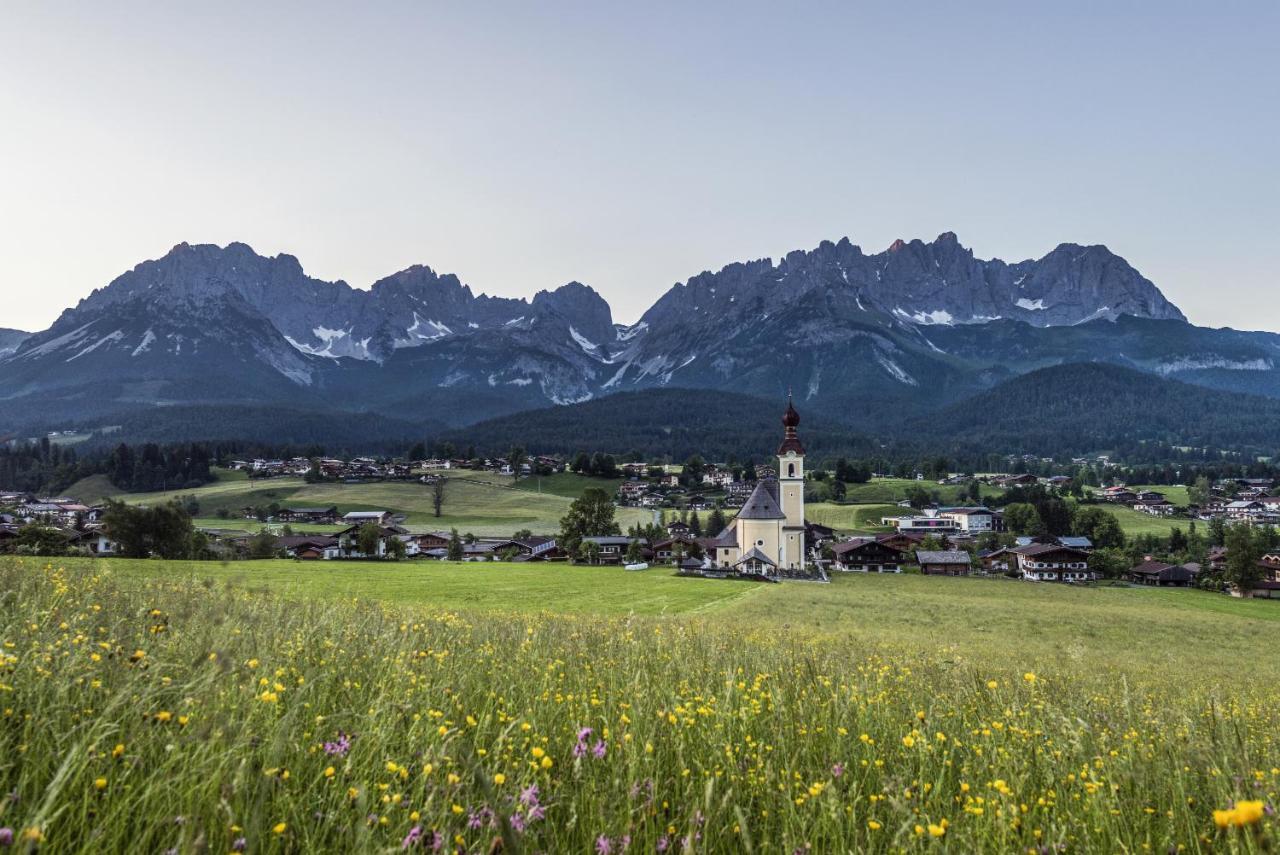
634,145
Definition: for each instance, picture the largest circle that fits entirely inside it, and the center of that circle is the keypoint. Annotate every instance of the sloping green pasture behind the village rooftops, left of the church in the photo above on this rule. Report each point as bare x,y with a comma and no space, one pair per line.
481,504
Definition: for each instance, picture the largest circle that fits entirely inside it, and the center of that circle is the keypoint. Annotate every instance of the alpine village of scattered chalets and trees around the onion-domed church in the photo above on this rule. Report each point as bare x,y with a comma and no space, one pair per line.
710,520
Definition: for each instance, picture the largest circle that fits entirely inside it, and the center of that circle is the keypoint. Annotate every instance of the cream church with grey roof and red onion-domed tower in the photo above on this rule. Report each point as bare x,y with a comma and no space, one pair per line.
769,534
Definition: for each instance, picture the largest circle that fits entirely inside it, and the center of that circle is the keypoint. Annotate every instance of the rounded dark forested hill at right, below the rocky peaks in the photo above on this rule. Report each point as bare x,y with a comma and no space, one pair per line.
1092,408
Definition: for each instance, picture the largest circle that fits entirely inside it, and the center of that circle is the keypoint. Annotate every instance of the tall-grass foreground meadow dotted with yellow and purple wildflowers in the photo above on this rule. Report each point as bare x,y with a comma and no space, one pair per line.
188,717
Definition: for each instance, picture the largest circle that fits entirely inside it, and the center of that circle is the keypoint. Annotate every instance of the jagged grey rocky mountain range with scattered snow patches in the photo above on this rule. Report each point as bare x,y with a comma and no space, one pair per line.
863,340
